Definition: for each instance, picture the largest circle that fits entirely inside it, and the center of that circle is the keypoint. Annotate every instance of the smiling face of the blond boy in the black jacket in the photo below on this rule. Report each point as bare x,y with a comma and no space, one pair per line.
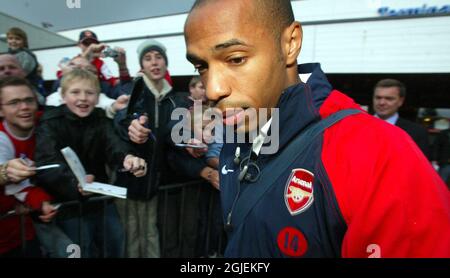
81,97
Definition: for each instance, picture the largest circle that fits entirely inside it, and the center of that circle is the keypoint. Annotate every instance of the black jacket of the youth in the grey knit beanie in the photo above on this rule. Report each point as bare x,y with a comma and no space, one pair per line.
159,154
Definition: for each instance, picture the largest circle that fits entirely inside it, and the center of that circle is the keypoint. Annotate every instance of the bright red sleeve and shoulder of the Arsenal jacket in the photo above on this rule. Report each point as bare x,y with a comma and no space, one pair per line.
394,203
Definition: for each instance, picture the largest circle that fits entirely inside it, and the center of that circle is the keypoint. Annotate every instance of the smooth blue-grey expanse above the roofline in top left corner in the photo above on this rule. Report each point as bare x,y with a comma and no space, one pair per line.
59,15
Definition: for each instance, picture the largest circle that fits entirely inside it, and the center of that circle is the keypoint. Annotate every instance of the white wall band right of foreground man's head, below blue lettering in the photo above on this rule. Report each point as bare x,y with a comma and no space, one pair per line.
391,46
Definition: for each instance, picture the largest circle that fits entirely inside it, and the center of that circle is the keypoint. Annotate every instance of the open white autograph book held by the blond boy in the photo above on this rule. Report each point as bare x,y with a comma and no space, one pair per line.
95,187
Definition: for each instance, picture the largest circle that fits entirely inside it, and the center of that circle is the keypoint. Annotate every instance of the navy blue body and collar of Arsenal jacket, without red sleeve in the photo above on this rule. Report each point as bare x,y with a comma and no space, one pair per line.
258,236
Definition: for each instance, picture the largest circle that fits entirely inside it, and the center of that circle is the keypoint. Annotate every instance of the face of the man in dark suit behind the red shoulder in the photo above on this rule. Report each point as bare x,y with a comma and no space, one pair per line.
387,101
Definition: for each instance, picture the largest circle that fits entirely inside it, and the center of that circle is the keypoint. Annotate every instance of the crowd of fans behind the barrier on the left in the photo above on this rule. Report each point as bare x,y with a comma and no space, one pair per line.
94,113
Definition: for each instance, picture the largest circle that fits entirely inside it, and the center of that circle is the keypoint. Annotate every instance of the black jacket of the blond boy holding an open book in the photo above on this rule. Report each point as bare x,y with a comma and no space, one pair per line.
92,138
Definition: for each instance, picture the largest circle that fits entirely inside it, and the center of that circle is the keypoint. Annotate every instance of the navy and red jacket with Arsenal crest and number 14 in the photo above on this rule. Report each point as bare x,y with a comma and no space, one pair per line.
362,189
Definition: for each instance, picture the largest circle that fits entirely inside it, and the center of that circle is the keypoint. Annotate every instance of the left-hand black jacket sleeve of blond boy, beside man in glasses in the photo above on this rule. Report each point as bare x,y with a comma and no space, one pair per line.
59,182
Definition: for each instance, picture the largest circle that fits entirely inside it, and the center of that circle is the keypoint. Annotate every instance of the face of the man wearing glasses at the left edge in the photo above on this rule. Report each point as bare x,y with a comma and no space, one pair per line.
18,108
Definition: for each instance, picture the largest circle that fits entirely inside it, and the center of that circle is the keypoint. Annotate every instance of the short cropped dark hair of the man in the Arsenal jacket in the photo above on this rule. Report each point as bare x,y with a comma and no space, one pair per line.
275,14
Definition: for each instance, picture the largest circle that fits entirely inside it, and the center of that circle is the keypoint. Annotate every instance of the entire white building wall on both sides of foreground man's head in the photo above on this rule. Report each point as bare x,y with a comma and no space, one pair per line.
418,45
